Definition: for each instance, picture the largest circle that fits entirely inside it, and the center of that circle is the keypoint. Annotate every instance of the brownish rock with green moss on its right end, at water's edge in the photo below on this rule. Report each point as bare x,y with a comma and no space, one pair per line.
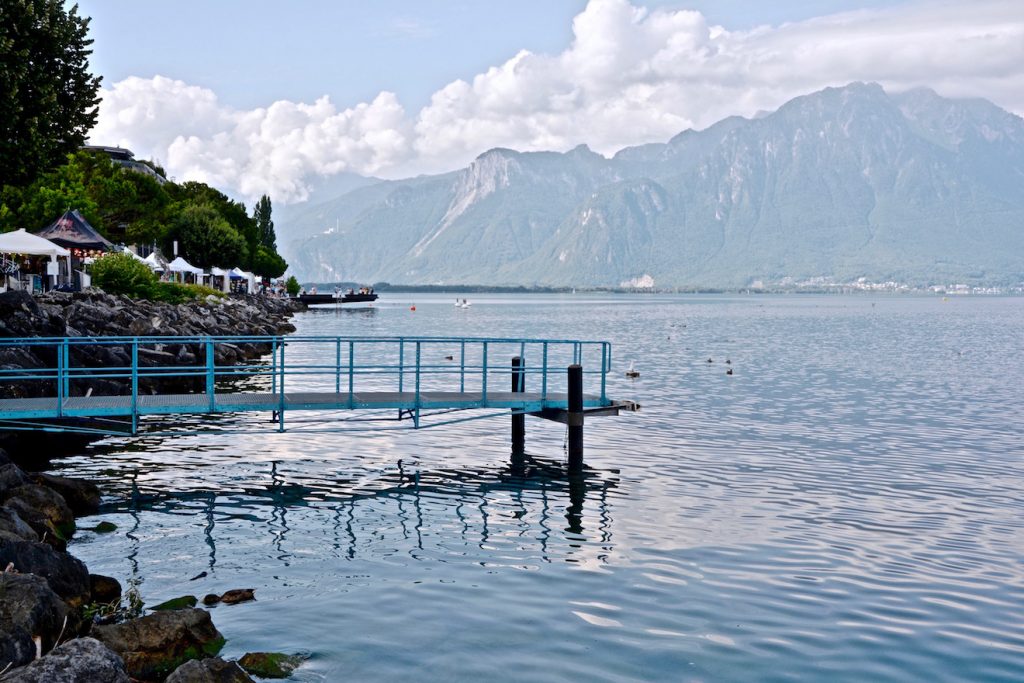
157,645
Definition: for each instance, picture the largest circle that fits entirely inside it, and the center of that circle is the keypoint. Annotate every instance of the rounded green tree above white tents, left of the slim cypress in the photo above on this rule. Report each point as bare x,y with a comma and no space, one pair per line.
205,238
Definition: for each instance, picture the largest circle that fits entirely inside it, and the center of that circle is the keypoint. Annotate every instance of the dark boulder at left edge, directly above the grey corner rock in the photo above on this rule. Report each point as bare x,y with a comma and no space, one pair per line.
29,608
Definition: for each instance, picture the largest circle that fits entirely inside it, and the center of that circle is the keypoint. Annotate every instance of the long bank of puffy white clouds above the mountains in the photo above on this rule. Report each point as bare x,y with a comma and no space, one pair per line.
630,76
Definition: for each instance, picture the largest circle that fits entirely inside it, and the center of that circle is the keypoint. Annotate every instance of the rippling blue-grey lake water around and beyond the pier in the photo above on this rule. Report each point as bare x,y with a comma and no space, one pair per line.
847,506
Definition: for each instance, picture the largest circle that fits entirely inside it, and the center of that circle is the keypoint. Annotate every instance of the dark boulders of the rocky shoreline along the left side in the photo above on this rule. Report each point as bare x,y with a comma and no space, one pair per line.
58,622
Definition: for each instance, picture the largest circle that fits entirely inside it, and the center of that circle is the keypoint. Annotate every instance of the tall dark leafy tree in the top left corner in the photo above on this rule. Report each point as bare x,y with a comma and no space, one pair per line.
50,100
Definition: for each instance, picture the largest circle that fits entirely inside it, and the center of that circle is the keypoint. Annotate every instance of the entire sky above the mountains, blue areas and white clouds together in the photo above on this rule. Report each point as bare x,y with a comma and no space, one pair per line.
257,97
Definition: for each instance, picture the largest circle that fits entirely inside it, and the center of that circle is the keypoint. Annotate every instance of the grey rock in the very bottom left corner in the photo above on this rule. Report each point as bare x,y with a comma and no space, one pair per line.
79,661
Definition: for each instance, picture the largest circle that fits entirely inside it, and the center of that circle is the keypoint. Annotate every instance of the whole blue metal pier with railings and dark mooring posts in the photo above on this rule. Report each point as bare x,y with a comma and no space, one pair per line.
123,386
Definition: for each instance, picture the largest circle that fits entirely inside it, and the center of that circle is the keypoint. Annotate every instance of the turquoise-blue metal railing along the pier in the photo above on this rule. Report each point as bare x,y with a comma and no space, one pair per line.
136,368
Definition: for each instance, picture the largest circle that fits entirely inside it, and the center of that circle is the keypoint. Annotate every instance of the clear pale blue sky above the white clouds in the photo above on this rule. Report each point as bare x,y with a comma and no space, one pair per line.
252,53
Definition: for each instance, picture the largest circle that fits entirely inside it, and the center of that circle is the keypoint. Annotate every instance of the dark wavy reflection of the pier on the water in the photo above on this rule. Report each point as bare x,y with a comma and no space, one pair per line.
539,492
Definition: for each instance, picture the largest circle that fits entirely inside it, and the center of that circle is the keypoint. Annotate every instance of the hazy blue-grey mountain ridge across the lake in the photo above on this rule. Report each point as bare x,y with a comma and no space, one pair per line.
843,184
